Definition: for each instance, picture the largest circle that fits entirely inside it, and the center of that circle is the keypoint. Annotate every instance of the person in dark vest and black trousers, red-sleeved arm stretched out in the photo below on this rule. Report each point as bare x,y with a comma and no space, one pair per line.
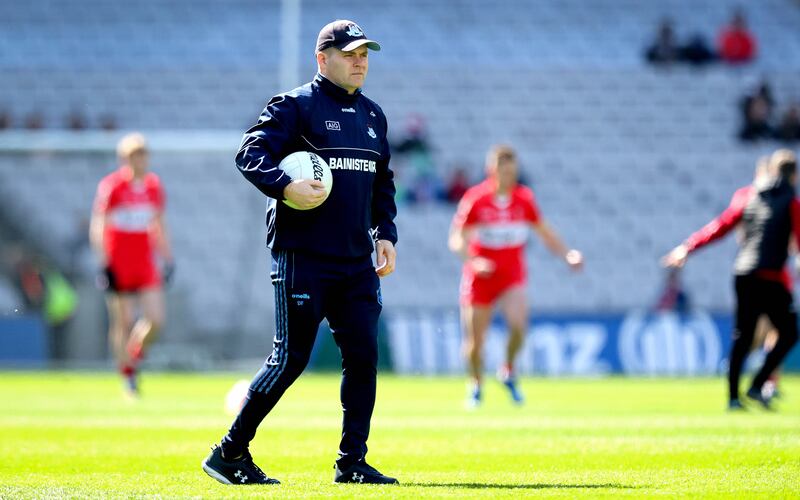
769,215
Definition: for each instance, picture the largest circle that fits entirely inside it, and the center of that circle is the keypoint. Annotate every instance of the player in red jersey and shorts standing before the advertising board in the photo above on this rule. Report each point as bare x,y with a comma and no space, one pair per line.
489,231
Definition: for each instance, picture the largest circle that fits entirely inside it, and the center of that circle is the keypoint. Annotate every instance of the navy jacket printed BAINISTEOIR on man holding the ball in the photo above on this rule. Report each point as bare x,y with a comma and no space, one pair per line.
349,133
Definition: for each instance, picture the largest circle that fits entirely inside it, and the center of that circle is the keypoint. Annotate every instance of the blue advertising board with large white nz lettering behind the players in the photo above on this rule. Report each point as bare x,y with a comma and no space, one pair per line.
638,342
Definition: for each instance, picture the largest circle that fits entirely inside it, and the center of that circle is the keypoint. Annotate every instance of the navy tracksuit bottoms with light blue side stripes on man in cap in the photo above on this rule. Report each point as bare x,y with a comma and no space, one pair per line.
309,288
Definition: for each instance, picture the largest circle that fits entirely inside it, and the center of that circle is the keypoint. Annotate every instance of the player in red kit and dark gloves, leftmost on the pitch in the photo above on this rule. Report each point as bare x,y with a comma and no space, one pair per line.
127,226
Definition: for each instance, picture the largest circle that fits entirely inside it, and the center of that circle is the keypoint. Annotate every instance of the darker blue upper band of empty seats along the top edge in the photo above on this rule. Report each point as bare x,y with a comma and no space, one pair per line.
194,34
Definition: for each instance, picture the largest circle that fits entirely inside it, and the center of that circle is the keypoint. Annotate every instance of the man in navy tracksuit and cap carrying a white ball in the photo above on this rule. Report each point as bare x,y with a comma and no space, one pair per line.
321,255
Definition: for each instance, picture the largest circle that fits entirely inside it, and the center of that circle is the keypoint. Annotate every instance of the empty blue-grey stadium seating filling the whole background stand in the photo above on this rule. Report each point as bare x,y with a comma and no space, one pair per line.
625,159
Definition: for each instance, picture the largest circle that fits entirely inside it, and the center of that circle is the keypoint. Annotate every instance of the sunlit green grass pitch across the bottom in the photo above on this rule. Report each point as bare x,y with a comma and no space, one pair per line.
73,435
